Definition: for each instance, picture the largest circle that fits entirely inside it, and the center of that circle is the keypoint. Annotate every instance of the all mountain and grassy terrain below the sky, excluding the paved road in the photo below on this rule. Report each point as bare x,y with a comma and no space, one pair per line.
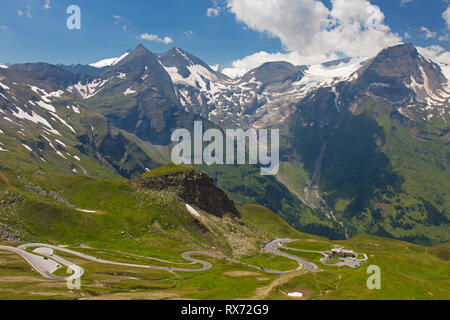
85,164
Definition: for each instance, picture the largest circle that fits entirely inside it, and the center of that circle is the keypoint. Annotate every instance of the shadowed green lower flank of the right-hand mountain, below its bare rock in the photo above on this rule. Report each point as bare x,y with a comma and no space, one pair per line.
382,173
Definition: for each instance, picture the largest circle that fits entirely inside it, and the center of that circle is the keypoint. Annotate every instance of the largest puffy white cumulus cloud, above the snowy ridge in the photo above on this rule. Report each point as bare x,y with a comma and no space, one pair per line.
309,30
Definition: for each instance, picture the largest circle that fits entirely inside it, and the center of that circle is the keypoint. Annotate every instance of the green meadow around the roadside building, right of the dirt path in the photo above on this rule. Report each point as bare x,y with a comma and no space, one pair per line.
408,272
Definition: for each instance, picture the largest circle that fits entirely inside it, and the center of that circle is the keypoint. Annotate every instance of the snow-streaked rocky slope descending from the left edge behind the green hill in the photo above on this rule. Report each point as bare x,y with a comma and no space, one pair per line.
43,125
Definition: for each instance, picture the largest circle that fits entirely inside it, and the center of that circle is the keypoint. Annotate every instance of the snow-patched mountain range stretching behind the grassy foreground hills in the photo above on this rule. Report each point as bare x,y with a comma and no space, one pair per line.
364,148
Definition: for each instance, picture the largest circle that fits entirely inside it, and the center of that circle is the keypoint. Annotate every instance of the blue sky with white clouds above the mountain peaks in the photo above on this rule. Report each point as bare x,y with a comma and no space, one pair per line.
238,34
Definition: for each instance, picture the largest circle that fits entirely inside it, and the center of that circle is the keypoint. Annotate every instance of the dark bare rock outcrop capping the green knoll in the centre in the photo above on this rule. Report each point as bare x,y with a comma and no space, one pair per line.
195,188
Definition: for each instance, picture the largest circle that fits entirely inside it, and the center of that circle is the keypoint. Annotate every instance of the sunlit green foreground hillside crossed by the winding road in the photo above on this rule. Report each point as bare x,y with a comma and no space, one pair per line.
154,225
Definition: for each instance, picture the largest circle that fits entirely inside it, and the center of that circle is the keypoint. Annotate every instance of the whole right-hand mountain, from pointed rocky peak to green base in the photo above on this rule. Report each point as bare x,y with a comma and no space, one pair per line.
376,148
